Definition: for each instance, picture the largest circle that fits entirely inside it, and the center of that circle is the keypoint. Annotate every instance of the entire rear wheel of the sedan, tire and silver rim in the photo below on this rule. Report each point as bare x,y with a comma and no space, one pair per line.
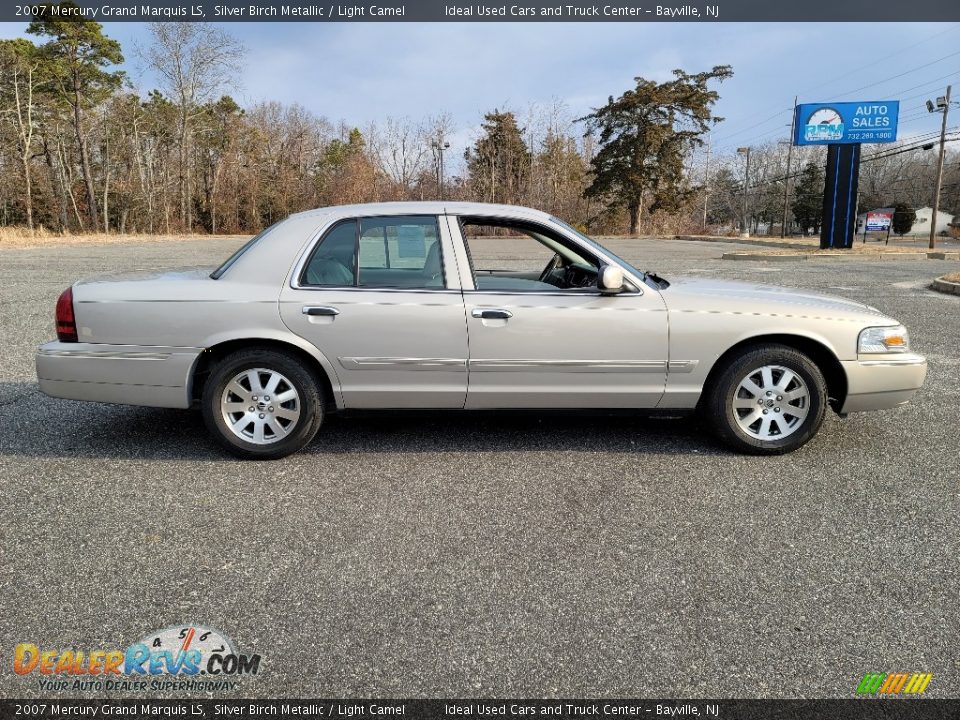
284,417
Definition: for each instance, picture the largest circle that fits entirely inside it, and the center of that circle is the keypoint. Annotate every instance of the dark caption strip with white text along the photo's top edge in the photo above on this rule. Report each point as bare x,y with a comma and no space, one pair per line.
609,11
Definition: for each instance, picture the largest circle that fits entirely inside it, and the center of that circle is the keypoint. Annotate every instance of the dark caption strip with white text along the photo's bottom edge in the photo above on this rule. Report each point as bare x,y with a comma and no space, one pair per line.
866,709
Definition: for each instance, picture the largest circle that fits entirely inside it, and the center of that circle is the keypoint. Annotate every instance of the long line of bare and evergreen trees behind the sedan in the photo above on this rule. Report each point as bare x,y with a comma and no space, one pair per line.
82,150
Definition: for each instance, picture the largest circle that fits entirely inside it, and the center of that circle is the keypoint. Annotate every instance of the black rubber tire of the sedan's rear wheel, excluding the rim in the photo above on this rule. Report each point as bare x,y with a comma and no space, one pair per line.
305,382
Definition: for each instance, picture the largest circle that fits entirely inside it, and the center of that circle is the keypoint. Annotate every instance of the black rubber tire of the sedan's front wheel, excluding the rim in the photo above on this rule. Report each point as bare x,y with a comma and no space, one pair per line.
721,401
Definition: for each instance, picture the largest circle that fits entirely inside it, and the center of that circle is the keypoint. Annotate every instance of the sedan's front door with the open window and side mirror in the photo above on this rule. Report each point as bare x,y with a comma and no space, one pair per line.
532,345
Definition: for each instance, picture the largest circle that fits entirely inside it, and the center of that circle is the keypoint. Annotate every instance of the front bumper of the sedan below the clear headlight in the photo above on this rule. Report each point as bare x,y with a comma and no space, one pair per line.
882,383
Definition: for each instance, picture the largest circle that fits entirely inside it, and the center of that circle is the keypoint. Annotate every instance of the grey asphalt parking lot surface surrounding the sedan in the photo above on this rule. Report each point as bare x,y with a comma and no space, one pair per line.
486,555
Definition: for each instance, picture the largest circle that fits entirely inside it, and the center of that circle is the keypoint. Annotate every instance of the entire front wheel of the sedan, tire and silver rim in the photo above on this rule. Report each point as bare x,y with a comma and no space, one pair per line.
768,400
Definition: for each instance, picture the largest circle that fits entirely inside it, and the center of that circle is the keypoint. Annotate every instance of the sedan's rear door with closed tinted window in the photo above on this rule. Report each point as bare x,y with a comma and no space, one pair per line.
380,297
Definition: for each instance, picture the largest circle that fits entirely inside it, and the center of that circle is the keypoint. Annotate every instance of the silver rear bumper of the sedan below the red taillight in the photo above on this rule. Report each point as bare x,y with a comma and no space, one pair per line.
124,374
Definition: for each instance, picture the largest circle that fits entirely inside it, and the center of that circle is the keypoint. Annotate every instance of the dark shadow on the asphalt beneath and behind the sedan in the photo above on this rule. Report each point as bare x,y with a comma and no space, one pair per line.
41,426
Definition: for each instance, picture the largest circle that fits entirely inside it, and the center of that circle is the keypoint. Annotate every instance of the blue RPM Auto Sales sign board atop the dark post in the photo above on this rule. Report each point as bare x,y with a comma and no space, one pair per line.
846,123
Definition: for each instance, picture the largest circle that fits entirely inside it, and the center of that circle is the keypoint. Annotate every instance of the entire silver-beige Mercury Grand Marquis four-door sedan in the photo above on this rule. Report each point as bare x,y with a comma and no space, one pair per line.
463,305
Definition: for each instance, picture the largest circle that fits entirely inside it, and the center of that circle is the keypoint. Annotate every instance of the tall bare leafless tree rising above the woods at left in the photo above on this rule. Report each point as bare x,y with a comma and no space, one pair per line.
194,62
